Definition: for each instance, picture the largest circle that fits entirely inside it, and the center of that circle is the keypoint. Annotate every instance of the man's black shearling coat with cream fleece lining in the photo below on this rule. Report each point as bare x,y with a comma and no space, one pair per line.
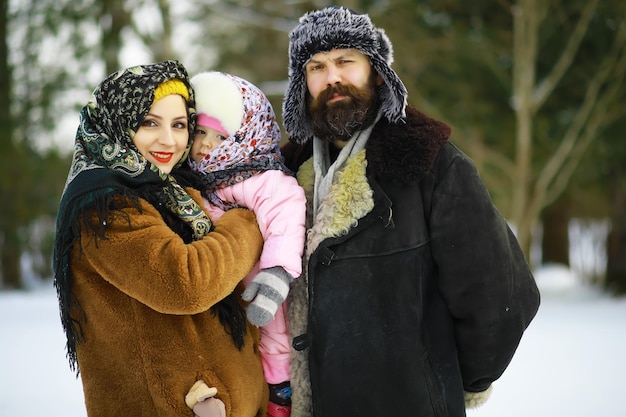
415,290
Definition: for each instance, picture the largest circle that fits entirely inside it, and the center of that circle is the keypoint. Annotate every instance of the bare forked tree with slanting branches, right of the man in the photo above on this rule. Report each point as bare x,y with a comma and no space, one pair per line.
537,187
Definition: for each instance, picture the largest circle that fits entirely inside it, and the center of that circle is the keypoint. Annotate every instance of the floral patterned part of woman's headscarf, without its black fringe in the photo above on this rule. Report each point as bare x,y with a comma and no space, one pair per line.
109,122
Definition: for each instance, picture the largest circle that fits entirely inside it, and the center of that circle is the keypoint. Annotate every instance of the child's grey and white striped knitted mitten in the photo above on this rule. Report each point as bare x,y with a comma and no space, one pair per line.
268,288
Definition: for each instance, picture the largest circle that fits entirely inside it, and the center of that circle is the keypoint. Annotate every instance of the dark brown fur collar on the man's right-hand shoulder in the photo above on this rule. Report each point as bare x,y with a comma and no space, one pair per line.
404,151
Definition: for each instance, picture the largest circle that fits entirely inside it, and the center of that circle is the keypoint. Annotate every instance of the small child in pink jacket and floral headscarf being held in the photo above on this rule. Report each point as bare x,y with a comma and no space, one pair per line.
236,150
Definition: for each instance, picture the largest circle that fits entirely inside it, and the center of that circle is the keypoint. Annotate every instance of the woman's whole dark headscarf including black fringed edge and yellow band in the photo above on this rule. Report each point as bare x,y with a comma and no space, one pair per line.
106,163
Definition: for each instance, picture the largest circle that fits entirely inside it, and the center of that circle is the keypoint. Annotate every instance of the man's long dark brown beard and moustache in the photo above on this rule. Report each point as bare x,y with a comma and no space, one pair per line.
341,119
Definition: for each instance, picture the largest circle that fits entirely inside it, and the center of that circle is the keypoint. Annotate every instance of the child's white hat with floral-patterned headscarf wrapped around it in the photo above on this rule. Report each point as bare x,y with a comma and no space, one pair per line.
253,144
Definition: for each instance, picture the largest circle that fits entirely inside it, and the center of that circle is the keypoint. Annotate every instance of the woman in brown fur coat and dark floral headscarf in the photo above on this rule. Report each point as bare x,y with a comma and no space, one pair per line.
148,286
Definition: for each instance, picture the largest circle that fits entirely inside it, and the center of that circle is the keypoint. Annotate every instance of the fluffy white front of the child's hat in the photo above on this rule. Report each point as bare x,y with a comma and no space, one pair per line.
219,96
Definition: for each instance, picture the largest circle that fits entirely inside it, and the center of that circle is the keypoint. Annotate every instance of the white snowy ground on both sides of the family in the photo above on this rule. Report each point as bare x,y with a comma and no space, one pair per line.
569,363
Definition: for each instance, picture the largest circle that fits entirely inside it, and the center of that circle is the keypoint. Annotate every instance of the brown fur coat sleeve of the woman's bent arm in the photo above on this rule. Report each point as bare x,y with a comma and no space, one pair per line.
179,273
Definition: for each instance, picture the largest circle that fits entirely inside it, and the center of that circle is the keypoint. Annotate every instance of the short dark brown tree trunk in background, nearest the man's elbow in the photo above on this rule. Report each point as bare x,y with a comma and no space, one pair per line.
555,241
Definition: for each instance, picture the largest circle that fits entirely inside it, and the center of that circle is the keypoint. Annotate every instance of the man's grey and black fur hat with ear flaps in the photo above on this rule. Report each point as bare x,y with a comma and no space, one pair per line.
337,28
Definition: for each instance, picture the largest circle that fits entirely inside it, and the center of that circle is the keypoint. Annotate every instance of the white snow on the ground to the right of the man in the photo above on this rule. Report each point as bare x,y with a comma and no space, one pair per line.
570,361
